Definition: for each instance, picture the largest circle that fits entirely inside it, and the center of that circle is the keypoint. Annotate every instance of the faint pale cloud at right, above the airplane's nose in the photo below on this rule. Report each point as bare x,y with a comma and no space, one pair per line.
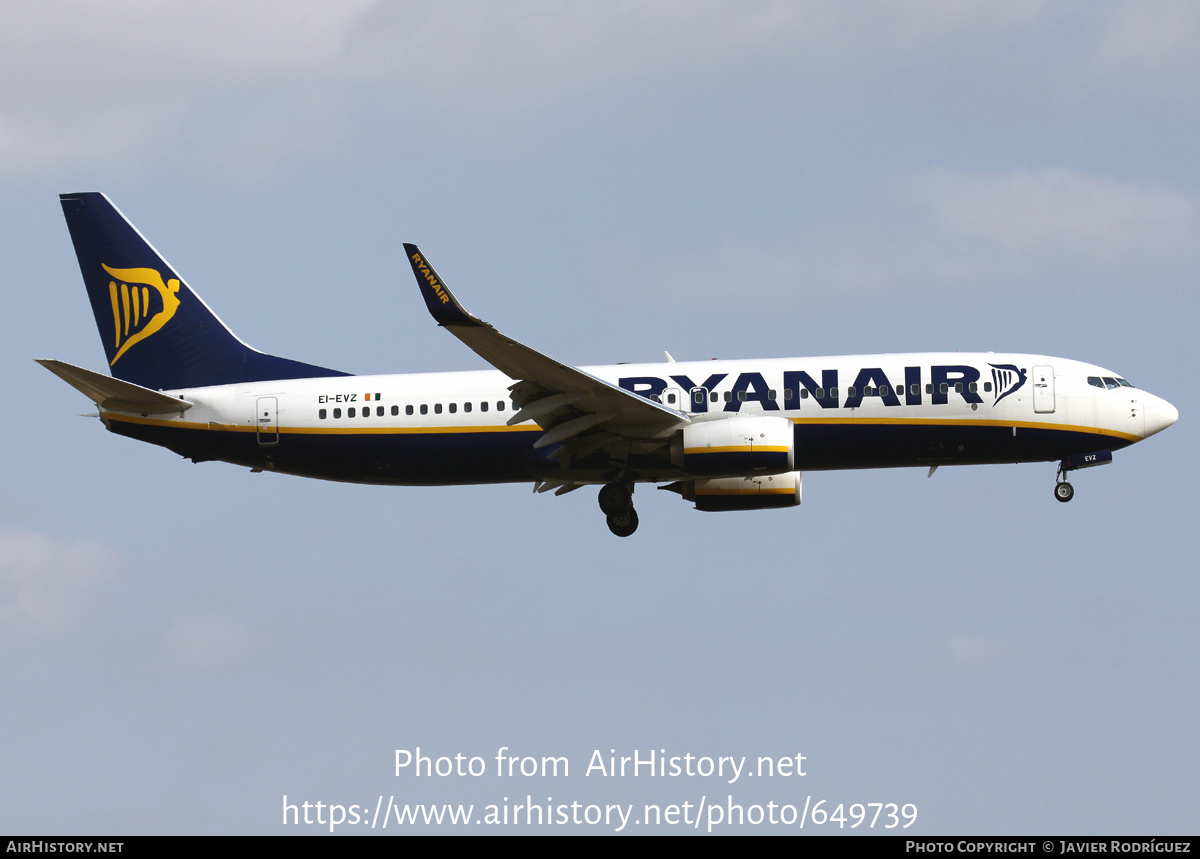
940,230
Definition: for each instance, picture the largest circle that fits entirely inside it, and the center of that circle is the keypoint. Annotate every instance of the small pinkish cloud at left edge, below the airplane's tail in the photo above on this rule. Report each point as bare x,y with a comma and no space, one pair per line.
46,585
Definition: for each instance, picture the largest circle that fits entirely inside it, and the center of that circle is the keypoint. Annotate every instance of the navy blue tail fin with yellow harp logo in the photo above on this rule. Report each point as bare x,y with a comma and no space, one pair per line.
157,332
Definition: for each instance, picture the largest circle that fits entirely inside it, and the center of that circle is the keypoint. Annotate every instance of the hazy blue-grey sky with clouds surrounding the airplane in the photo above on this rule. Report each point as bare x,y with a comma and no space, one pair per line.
182,646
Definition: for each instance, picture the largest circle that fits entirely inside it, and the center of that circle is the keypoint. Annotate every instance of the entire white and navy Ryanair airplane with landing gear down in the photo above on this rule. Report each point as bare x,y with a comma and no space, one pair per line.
725,435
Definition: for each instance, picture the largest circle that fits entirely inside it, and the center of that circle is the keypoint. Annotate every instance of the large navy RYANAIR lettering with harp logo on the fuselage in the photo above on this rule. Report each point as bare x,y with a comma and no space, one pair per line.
917,386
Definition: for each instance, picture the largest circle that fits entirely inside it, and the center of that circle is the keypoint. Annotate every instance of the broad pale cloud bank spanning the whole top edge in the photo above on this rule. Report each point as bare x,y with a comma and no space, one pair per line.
253,83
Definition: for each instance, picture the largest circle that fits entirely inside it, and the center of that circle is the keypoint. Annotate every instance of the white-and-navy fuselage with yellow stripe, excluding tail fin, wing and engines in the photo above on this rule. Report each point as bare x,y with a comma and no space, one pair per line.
849,412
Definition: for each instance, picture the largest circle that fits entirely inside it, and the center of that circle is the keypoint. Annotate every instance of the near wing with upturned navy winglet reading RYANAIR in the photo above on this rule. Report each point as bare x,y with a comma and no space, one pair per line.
563,400
